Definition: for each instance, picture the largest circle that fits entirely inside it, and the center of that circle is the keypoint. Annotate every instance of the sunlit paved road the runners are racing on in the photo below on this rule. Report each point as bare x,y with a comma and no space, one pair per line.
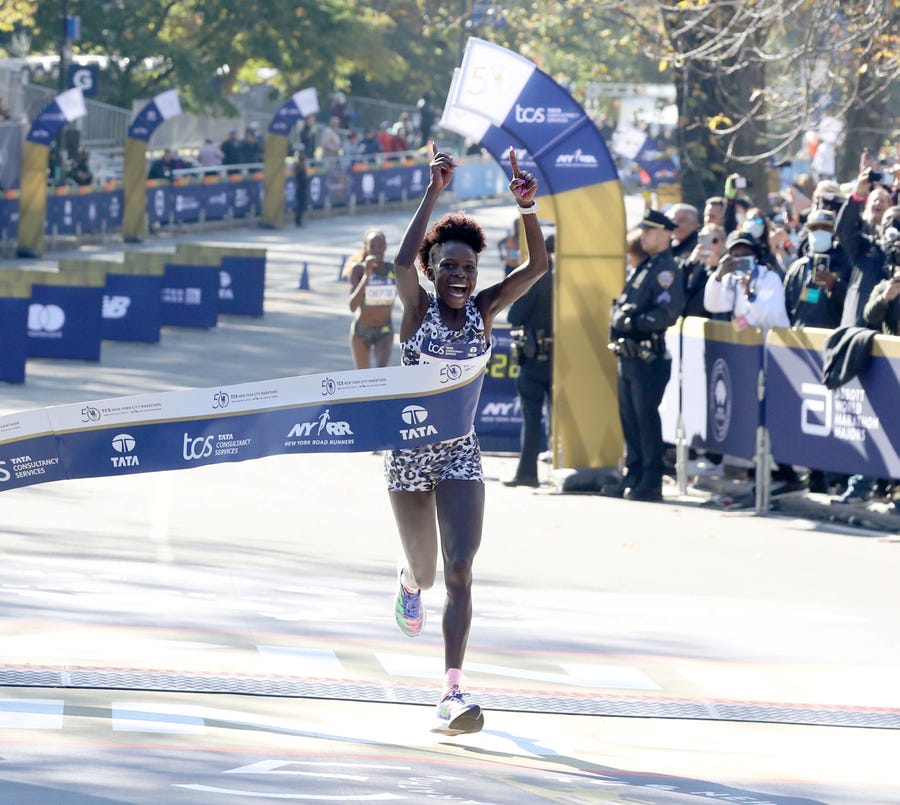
224,635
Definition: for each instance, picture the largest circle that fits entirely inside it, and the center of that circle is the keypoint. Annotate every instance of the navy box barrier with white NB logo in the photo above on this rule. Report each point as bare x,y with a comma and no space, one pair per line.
132,305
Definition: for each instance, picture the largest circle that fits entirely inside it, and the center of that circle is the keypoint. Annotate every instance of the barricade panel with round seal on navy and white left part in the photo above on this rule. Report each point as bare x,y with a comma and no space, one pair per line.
720,402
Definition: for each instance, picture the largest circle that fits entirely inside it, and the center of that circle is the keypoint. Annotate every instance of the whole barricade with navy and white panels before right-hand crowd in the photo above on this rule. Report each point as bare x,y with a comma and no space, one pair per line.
760,396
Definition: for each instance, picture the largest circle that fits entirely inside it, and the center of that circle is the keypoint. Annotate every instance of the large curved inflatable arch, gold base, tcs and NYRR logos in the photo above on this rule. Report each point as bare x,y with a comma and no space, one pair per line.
497,99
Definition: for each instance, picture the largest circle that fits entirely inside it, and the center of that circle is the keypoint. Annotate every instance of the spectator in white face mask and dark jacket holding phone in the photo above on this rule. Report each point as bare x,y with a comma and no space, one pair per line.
816,284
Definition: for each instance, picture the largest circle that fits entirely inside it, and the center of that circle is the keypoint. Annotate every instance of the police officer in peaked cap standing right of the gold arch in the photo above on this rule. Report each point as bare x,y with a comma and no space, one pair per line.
652,300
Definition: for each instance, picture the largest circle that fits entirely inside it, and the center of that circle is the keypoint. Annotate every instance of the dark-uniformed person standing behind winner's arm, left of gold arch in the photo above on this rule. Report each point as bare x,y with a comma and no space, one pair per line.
532,317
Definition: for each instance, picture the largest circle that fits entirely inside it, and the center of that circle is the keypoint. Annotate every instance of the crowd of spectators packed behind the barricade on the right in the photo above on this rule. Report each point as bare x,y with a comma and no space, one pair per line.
824,255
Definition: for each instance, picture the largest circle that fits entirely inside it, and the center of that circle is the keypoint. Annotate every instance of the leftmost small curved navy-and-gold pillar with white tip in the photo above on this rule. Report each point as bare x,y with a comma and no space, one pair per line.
66,107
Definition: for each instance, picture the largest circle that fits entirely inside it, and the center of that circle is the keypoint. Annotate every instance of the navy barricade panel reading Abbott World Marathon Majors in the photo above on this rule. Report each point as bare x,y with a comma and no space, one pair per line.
851,429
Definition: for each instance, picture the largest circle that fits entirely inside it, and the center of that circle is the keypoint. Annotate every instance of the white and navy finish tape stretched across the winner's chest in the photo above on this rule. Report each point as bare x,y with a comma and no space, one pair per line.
353,411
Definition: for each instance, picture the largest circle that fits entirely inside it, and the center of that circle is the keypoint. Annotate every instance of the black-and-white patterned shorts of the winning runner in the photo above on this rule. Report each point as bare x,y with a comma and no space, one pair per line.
419,469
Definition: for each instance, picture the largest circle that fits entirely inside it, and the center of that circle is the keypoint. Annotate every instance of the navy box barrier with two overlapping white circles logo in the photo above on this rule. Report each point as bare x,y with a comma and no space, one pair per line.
64,321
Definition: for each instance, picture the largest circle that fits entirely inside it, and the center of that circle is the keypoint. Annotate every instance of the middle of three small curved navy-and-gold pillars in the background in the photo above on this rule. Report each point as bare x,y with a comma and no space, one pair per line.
134,172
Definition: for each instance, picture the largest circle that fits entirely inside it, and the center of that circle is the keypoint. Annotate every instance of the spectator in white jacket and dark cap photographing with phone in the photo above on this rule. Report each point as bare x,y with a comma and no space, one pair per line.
743,287
